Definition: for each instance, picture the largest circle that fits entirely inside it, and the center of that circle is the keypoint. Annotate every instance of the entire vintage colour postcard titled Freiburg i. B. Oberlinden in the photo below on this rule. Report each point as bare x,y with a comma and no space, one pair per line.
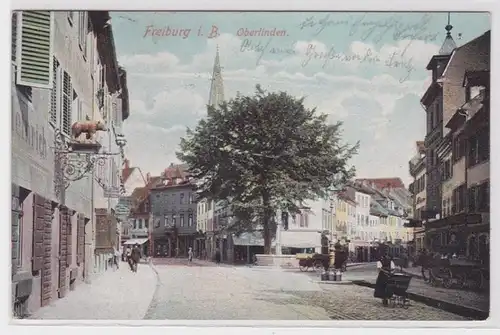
250,165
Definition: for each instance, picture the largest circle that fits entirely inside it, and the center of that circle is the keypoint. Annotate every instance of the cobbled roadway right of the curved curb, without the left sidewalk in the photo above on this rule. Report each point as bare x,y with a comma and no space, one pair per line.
243,293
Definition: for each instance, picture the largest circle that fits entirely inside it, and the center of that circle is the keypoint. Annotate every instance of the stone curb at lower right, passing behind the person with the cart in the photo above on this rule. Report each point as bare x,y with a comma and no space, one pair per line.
465,311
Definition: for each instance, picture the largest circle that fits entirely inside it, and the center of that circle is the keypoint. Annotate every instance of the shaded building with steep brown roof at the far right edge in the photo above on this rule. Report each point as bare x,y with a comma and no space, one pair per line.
464,153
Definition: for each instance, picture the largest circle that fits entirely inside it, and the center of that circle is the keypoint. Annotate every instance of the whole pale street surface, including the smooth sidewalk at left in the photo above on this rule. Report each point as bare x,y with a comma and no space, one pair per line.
208,292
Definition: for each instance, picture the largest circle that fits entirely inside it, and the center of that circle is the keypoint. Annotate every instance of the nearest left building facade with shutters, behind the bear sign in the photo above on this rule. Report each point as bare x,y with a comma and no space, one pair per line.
54,221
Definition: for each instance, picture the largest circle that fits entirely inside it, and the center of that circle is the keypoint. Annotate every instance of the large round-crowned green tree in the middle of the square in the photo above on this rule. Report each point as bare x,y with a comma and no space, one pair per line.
265,153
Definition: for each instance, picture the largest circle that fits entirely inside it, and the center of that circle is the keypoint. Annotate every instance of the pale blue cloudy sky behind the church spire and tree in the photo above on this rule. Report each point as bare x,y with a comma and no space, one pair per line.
374,91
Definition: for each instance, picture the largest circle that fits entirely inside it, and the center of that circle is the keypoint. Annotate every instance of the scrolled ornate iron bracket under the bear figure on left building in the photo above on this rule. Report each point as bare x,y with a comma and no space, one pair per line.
72,164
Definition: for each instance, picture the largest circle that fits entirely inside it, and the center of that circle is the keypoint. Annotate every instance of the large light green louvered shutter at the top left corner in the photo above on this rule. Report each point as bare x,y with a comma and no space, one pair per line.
35,61
